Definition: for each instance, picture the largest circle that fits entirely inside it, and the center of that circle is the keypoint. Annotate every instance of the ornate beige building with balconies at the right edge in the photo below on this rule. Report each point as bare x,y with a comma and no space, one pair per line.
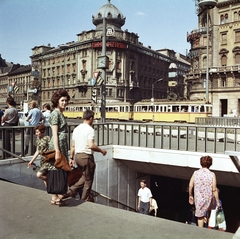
224,57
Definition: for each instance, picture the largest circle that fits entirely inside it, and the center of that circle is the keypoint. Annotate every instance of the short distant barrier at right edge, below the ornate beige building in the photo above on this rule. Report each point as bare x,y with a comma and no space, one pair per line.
218,121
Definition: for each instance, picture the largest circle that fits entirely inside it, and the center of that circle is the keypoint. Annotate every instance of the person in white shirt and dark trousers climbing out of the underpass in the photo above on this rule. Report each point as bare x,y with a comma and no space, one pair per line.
144,198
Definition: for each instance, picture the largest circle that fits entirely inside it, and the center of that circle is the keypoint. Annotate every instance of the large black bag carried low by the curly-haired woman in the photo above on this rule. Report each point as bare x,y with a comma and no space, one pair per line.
57,181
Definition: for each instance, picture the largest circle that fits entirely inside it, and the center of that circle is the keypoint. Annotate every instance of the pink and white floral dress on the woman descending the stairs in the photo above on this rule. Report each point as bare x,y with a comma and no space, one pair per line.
203,195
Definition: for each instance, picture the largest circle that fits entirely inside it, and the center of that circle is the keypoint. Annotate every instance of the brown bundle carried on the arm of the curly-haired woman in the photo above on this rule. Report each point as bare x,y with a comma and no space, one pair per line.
60,163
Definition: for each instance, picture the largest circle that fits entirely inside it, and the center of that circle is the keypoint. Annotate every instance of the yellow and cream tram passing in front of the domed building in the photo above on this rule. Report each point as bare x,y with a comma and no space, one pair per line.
186,111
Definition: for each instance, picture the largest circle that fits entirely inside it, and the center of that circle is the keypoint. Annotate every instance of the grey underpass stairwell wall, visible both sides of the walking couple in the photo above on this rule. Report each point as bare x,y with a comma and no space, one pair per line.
113,178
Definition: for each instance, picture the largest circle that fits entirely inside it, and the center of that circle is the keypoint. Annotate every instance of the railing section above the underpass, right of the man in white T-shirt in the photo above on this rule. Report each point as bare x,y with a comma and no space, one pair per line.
185,137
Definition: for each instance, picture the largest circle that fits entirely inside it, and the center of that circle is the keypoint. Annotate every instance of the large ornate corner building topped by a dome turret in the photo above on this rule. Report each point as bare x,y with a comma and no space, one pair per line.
131,70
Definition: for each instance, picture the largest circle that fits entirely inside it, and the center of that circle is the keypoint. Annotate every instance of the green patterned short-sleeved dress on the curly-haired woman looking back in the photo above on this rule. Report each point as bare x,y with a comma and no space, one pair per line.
57,118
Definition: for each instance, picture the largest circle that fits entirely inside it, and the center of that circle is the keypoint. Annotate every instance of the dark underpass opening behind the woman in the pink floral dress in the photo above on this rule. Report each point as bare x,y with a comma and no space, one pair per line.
172,197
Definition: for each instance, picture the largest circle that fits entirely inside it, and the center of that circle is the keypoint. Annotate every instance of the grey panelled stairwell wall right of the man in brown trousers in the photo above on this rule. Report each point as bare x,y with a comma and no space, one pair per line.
114,179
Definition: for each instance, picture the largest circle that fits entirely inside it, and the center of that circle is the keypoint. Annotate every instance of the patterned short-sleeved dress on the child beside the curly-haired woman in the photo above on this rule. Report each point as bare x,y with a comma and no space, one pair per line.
42,146
